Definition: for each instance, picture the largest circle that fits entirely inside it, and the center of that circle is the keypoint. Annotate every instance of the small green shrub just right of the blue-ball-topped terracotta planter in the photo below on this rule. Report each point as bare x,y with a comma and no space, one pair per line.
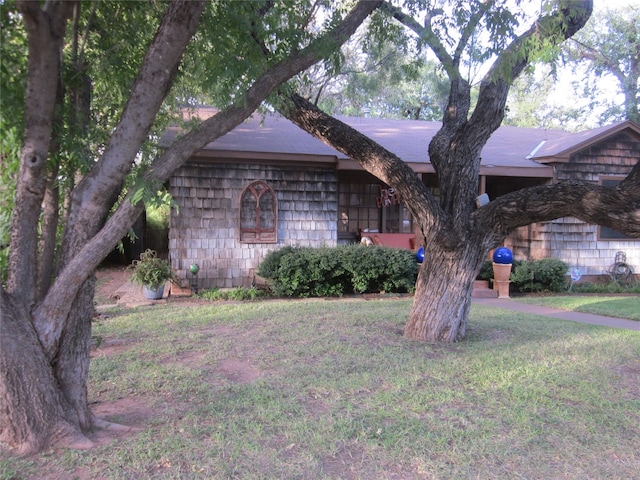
546,275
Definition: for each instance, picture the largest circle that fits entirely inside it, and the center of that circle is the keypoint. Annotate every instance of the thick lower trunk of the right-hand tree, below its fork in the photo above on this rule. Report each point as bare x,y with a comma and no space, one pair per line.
443,293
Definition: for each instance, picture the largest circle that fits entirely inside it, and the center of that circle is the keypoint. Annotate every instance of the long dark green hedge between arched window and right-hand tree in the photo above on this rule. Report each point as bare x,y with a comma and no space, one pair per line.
334,271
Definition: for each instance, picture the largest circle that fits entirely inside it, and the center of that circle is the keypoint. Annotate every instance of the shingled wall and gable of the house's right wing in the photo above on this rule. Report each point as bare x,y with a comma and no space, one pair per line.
570,239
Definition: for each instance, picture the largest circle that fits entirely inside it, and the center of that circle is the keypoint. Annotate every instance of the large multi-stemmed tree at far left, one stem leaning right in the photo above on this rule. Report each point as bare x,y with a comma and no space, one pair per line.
46,331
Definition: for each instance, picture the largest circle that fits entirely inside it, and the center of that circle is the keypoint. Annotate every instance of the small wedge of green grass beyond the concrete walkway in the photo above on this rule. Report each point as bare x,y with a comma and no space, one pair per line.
627,306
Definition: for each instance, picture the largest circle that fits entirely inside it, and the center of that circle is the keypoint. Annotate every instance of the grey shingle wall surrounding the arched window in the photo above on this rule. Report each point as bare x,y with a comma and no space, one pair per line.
205,229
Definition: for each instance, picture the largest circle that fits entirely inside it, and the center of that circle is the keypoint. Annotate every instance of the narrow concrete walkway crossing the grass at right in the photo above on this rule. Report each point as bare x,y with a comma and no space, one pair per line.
561,314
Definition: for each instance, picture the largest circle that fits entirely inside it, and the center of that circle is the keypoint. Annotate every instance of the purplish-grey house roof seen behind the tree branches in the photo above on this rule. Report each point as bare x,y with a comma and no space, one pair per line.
508,148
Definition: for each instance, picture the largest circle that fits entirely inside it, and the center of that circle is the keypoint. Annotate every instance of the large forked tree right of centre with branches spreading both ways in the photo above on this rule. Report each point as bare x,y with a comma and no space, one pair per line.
457,235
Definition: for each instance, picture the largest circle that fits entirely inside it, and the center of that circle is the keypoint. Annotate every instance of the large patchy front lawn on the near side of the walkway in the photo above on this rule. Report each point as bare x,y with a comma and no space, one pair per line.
330,389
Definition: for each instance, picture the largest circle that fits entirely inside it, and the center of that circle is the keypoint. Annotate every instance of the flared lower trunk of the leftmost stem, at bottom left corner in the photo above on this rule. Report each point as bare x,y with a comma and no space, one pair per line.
33,410
